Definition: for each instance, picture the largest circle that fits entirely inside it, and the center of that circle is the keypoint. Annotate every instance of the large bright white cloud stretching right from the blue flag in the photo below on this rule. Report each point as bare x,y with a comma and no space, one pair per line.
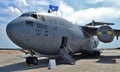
85,16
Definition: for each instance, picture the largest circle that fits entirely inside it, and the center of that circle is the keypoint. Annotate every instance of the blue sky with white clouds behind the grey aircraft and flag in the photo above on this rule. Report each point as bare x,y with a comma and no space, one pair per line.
76,11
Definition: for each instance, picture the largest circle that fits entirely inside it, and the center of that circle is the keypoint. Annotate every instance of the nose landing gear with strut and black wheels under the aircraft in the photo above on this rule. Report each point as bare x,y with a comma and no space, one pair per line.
31,60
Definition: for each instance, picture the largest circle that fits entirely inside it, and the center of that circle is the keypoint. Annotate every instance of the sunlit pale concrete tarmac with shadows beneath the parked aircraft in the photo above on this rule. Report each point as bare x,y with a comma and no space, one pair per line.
109,61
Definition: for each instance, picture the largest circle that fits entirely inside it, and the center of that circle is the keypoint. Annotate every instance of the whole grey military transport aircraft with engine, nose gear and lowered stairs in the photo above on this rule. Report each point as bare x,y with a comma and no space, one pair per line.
50,34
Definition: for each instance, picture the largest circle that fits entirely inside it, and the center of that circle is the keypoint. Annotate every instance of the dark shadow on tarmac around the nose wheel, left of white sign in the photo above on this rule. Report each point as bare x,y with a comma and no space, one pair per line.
21,66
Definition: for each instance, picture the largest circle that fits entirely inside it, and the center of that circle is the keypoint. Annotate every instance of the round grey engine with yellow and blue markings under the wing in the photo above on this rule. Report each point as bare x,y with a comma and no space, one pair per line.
105,34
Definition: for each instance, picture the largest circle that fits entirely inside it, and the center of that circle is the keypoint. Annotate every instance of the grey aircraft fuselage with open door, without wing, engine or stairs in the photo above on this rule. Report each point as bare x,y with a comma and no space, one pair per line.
47,33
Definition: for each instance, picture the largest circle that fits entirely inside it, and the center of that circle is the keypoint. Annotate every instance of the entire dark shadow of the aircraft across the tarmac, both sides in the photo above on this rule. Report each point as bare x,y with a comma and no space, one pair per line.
44,63
